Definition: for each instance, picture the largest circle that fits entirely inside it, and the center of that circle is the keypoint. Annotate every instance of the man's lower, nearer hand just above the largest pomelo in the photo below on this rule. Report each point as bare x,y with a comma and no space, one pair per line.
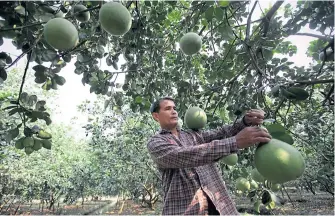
252,135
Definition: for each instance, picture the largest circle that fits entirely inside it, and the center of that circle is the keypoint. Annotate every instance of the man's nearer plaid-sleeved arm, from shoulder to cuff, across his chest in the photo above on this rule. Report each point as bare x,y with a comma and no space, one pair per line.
167,155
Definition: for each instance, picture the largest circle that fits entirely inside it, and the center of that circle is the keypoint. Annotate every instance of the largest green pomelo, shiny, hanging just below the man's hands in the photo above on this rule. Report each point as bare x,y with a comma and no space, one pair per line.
279,162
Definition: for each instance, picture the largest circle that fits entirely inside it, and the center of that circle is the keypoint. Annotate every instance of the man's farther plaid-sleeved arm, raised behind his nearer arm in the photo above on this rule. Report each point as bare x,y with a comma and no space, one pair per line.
224,131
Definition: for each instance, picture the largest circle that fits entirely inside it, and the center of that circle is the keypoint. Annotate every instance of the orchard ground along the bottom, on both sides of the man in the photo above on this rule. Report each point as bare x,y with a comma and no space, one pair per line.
303,203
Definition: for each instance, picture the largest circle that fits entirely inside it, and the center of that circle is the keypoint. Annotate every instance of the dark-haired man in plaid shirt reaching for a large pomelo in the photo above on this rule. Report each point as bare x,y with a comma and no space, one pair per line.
186,160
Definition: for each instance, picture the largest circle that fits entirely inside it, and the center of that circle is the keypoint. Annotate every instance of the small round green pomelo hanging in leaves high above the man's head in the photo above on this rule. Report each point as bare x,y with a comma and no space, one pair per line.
190,43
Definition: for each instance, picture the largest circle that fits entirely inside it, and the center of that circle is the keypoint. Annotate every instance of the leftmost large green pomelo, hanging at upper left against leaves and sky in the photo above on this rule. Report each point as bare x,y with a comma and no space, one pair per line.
61,34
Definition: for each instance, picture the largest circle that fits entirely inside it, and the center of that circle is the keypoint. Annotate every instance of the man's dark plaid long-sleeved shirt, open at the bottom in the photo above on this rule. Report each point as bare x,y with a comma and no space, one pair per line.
189,170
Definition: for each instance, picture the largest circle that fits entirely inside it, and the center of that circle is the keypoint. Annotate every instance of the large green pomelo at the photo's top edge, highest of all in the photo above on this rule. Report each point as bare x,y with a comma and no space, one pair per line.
115,18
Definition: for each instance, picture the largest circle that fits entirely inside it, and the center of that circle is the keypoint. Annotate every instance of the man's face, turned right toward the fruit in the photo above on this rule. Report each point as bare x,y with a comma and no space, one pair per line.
167,115
